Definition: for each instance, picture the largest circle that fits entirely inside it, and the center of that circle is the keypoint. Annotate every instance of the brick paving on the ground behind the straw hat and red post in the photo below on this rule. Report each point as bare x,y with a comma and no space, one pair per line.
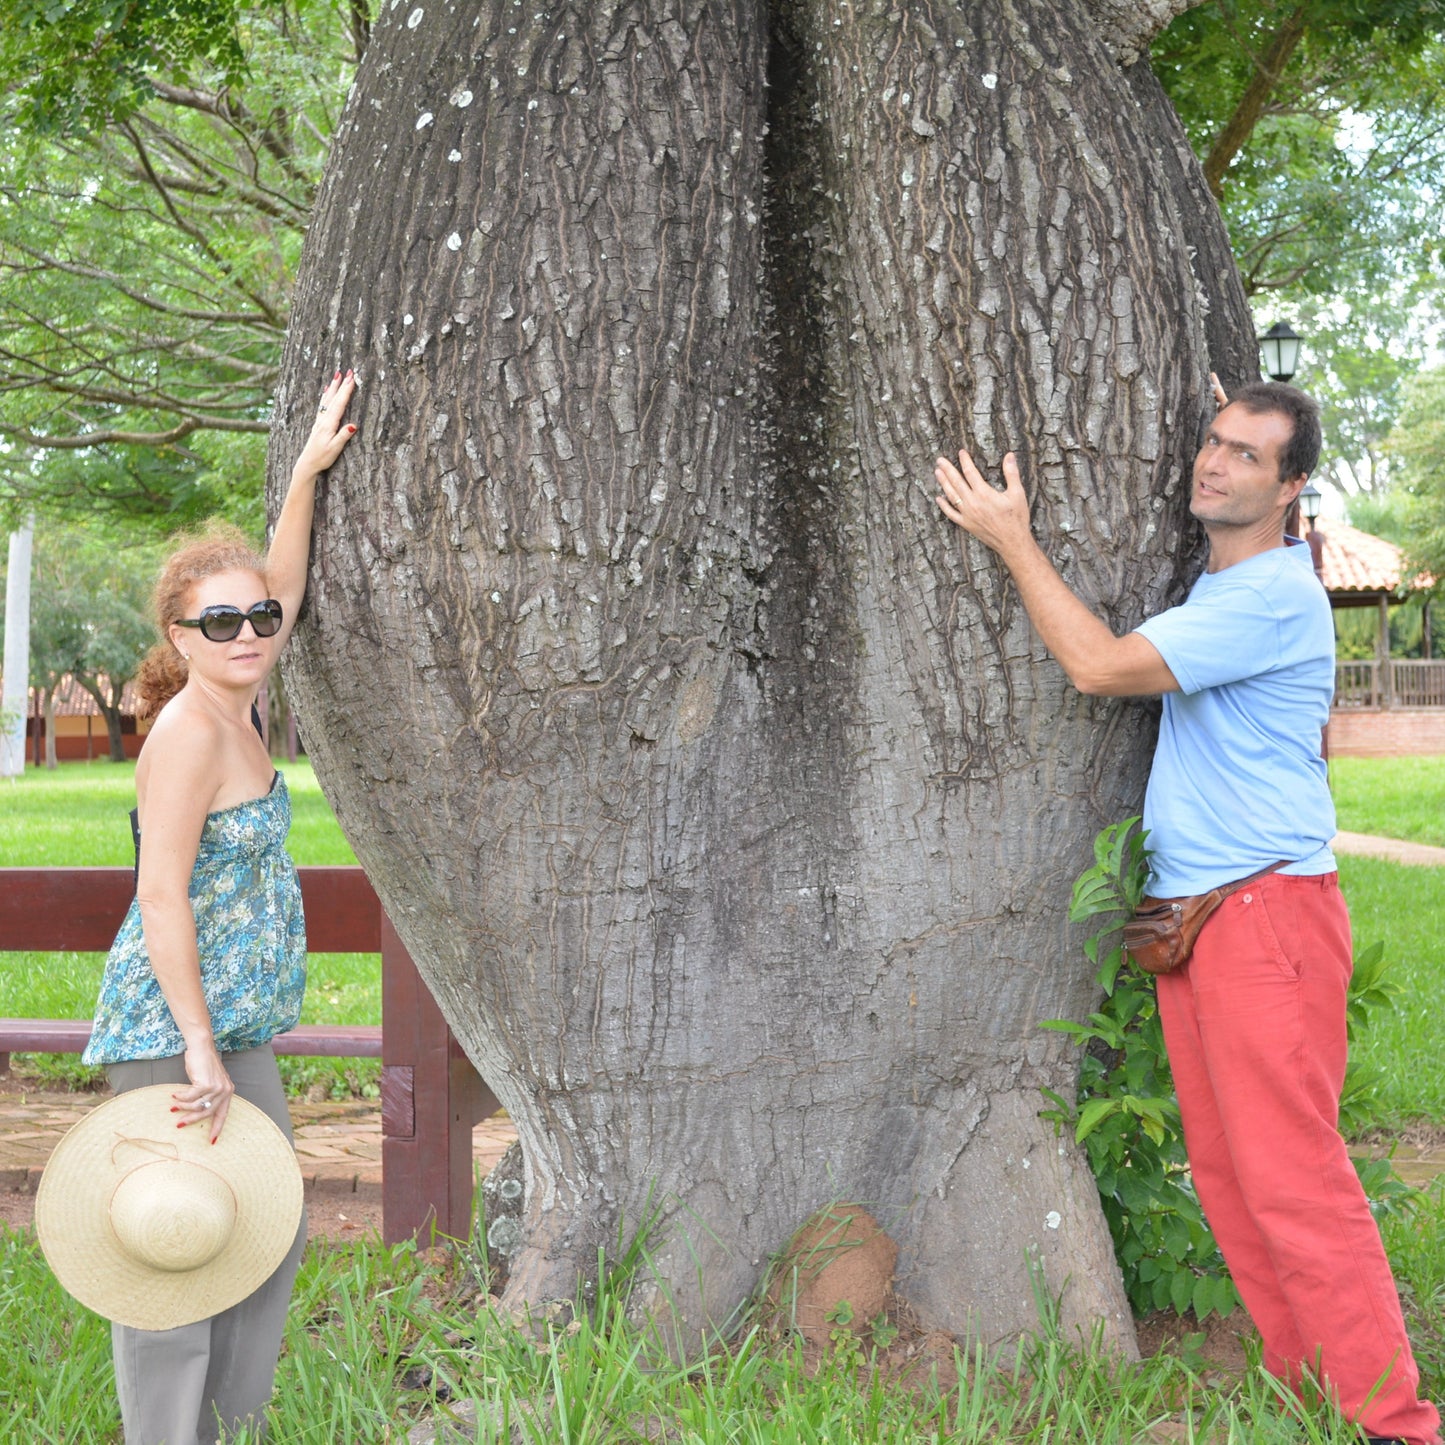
339,1144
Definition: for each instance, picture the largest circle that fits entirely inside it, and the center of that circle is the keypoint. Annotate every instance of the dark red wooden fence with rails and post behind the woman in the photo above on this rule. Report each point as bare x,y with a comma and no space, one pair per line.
431,1096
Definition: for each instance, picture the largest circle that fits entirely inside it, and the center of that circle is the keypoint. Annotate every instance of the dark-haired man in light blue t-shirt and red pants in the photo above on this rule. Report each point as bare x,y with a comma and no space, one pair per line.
1255,1022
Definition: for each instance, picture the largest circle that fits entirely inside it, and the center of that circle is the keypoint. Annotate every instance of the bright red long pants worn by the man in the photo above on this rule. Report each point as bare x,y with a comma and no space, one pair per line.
1256,1034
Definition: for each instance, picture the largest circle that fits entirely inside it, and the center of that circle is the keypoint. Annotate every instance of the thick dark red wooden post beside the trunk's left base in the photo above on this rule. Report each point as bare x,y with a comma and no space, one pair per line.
431,1099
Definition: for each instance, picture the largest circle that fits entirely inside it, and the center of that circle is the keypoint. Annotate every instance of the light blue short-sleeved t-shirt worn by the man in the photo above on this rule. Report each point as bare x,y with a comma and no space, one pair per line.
1238,781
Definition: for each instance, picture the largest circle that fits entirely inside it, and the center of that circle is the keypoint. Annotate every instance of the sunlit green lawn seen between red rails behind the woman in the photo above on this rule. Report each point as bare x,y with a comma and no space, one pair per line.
77,817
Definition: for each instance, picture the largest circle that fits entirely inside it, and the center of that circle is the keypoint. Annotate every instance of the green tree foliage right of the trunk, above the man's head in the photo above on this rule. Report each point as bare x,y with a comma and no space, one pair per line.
1330,222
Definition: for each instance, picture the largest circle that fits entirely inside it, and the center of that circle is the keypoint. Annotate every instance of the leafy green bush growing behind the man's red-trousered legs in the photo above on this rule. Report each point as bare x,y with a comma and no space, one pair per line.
1126,1115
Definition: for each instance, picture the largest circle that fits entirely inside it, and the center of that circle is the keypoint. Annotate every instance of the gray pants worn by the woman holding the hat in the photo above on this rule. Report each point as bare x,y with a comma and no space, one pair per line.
181,1386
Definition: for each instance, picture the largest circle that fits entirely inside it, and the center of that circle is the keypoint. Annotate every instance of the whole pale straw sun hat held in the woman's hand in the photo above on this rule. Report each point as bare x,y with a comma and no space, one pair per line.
155,1228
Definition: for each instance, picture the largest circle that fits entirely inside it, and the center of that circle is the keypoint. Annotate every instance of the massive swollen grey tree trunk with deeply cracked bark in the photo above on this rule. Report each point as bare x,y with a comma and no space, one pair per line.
719,788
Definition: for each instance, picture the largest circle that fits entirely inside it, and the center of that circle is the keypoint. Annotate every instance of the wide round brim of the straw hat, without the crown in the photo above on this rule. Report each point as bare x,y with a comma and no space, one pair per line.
73,1222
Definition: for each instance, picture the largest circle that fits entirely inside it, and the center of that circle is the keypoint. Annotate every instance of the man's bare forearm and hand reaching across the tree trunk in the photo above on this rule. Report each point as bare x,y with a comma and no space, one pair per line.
1096,661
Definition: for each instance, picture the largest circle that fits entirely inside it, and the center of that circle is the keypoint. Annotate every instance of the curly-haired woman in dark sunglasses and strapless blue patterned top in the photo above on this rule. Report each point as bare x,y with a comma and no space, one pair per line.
210,963
